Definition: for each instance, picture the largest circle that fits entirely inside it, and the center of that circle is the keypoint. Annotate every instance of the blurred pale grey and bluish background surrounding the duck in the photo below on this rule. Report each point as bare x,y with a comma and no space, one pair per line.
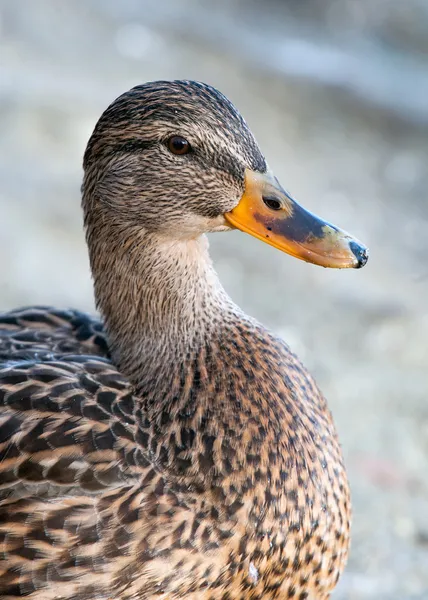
336,93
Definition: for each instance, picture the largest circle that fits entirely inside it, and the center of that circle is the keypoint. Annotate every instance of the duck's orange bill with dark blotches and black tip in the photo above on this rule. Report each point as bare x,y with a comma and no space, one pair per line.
267,212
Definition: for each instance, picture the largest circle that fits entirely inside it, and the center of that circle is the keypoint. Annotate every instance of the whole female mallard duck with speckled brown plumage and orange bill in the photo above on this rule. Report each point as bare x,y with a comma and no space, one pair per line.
186,454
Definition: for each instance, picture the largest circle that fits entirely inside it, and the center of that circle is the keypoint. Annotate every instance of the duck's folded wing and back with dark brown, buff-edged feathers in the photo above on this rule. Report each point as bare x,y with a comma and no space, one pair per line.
69,464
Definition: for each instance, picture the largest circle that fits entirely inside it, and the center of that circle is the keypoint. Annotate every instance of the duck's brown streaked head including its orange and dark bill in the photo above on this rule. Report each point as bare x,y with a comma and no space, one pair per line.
177,159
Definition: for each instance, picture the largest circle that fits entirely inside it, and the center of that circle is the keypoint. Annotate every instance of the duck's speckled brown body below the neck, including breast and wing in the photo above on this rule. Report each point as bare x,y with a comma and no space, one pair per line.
233,490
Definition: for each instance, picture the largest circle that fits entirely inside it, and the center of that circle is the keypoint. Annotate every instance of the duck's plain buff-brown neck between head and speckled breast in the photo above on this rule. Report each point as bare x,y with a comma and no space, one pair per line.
161,300
